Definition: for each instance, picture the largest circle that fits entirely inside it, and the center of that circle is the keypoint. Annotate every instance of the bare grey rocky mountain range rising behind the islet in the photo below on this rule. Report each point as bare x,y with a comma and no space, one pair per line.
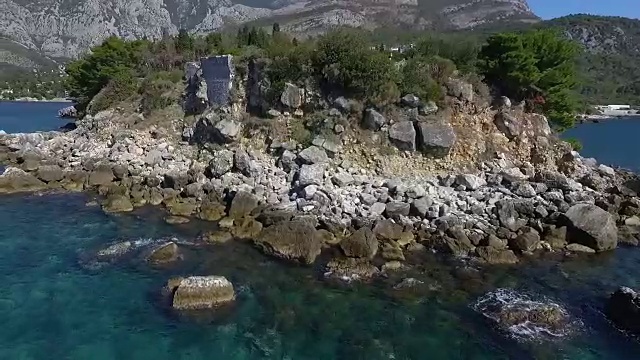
66,28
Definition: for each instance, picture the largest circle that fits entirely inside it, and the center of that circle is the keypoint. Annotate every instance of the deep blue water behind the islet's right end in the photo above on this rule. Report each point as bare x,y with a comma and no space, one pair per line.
613,142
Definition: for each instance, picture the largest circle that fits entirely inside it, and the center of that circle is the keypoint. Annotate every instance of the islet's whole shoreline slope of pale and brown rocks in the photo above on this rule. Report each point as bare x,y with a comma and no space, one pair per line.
489,183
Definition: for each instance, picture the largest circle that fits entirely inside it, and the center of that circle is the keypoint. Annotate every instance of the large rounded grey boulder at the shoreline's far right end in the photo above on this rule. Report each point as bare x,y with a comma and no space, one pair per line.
591,226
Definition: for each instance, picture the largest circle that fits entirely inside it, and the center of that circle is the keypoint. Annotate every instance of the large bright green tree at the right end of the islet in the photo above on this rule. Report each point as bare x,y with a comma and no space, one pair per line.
537,66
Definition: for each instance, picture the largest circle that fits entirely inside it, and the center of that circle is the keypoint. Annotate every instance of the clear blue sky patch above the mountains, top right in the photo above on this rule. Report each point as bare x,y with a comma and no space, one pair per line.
548,9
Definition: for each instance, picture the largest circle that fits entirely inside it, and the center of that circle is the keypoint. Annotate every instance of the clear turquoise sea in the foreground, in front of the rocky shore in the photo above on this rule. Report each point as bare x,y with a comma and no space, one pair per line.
52,307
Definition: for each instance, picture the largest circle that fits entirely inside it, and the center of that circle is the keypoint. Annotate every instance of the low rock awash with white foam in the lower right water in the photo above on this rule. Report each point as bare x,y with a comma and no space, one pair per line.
523,317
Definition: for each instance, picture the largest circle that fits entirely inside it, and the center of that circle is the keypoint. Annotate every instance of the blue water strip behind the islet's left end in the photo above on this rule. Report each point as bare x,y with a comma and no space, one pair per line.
18,116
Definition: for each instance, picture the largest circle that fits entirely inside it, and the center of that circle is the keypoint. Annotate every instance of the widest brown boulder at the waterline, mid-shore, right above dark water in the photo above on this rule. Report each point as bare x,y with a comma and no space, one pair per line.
291,240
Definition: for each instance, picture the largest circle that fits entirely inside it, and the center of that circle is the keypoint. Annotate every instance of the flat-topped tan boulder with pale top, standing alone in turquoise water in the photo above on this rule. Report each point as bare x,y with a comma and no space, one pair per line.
200,292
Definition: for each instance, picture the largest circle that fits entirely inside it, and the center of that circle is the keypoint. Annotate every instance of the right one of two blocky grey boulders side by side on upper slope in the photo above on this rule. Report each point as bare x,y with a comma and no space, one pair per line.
435,139
